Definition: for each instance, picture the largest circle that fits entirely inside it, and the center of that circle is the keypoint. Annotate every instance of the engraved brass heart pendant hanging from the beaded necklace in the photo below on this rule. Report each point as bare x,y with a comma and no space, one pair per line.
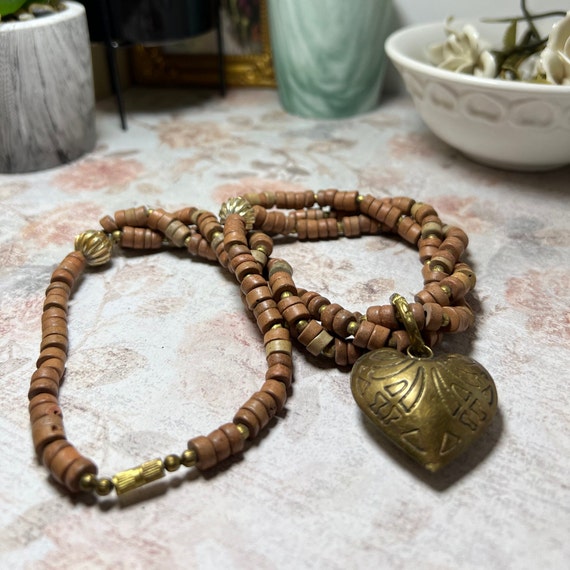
432,408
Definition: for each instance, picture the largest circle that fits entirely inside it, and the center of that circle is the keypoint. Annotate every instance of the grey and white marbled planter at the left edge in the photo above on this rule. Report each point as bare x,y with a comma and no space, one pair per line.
46,91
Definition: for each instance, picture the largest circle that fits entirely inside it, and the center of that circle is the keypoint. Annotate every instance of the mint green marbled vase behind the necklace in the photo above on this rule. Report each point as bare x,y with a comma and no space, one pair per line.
329,55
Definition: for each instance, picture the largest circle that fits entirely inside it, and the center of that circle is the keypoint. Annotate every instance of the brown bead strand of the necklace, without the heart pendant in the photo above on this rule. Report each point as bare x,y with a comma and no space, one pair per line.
241,242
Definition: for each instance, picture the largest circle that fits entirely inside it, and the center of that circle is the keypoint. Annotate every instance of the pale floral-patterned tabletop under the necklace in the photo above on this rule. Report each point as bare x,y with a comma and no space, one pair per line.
162,350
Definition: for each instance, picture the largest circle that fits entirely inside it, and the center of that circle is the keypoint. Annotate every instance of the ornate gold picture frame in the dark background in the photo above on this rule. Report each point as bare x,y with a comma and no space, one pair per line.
155,66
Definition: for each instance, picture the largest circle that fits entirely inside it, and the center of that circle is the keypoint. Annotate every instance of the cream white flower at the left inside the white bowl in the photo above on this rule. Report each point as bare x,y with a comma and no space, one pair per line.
462,52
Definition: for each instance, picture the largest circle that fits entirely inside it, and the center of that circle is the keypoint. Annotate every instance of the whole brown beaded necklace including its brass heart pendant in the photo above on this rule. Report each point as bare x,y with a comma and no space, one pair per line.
431,407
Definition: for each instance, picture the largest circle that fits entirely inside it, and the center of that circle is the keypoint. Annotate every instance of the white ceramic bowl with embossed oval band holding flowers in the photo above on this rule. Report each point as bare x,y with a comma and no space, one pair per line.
506,124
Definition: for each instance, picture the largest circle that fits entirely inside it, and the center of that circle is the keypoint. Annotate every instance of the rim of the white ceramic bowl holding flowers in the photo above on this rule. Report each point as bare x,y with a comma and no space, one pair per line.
395,53
